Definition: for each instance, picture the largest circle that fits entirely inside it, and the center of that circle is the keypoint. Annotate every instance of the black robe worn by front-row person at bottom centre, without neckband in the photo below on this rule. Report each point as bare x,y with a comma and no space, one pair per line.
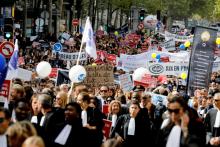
142,136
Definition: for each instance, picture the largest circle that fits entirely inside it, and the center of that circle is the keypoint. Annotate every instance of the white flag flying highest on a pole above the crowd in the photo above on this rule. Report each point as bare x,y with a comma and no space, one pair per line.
89,40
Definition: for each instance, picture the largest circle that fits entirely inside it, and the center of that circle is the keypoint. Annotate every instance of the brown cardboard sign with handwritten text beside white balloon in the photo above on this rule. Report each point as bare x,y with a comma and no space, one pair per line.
99,75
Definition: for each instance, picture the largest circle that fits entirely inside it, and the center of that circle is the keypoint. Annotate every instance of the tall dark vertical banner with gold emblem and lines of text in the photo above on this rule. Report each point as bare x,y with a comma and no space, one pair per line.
202,58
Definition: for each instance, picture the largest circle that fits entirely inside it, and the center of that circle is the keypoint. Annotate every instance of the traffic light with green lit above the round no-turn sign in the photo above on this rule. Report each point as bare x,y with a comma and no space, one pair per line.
8,28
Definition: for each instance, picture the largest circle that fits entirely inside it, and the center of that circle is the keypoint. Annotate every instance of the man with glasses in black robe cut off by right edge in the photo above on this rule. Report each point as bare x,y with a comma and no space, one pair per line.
212,122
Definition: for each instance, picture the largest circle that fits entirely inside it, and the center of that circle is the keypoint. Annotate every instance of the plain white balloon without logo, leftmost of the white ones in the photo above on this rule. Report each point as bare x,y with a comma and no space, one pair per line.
43,69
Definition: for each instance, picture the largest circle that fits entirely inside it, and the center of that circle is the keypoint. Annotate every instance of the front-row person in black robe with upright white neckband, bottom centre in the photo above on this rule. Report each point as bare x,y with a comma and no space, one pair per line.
133,129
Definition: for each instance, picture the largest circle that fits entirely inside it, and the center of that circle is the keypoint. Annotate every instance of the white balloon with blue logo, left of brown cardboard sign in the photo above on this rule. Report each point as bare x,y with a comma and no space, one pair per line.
77,74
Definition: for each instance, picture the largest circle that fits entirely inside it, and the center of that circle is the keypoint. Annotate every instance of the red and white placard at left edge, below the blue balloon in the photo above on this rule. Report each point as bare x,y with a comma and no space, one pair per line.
5,91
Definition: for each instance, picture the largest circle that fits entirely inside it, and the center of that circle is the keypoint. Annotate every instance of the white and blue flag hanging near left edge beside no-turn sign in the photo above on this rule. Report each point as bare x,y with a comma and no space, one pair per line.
13,63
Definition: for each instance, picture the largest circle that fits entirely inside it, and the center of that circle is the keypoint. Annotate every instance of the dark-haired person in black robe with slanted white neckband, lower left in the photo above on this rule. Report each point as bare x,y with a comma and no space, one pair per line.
74,138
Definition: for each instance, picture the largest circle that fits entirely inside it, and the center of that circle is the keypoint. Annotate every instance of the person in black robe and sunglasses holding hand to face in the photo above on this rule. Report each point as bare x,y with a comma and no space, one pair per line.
184,128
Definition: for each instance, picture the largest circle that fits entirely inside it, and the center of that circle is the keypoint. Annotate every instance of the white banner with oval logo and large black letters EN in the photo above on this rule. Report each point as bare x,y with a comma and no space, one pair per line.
174,69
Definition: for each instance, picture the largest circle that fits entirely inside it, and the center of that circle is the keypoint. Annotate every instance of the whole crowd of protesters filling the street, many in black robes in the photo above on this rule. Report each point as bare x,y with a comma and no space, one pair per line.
39,113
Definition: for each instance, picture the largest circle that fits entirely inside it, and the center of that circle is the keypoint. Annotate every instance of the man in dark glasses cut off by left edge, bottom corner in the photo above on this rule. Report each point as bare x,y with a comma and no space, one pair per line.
4,124
